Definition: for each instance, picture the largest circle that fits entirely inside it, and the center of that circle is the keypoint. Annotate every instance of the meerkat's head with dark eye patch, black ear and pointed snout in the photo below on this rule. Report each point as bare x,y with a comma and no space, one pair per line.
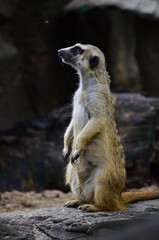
82,57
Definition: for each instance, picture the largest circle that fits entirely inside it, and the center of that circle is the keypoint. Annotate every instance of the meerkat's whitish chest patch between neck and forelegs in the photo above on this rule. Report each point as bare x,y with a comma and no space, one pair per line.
80,112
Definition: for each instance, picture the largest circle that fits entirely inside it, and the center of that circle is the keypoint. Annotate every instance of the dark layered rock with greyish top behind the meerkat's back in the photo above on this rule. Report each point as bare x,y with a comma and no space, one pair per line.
137,122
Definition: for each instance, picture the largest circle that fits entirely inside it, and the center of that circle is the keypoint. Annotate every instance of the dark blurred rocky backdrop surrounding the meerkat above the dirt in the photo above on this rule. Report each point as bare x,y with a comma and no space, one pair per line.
36,89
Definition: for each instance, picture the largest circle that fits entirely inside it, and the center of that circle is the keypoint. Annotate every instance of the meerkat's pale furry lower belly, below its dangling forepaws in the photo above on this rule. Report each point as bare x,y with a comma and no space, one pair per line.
83,174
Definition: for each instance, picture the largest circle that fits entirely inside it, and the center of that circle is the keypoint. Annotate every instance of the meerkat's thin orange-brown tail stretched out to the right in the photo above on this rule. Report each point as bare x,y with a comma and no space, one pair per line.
129,197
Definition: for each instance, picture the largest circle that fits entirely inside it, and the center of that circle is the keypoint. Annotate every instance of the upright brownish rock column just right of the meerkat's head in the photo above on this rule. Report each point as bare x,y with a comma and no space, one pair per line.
120,50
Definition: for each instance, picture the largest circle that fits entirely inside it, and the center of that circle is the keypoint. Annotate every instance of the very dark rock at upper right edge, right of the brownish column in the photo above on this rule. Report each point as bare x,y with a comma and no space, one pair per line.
147,45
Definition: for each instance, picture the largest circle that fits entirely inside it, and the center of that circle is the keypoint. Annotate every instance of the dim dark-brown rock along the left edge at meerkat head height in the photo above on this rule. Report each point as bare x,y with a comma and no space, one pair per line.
13,100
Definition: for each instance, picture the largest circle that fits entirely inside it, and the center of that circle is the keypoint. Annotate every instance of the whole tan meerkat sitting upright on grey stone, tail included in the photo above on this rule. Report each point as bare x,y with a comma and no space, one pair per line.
96,162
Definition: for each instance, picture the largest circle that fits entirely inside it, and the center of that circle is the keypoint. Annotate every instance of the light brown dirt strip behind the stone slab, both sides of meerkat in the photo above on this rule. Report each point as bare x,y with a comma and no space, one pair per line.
15,200
